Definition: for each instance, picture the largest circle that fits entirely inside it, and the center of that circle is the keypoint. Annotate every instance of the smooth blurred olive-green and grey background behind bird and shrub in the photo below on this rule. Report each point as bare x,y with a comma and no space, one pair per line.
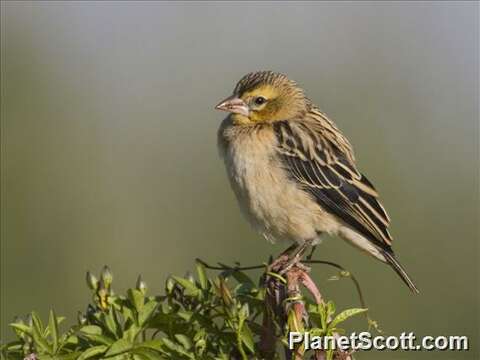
109,146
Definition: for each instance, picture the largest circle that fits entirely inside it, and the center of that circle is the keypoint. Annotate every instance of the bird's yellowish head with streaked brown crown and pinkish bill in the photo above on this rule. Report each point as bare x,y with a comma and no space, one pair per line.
265,96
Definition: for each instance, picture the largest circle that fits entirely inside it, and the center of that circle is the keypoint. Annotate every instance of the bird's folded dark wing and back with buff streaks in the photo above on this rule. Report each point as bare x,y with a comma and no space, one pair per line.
321,159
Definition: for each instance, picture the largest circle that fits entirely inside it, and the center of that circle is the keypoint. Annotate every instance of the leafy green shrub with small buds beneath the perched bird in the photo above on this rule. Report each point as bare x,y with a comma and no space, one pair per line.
224,317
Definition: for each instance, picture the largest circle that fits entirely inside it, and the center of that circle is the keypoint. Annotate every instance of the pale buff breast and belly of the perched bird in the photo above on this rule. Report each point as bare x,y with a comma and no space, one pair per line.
273,203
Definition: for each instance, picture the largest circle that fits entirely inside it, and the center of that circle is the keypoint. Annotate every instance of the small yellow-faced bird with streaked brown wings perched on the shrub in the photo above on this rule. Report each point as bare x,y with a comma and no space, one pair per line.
294,173
